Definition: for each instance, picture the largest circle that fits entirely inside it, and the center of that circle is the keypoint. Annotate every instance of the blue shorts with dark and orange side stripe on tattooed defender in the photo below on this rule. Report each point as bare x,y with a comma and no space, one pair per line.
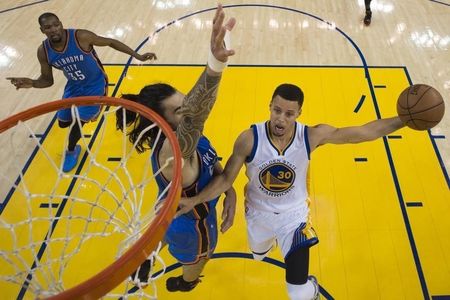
190,239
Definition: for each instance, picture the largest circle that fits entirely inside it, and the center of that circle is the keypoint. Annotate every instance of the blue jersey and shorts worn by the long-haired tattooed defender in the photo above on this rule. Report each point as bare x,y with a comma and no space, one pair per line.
194,234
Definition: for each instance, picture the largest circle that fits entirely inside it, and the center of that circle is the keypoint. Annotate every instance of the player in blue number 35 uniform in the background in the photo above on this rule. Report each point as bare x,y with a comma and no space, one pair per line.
72,51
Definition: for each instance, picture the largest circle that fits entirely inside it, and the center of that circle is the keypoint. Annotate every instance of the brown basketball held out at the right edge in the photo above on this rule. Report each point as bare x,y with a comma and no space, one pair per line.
420,107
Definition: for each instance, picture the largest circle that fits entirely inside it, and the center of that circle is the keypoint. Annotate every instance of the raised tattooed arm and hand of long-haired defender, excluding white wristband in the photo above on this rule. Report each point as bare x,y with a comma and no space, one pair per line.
199,101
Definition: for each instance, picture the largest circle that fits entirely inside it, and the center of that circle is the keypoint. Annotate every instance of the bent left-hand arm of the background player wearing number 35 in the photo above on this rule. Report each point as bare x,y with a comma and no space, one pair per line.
44,80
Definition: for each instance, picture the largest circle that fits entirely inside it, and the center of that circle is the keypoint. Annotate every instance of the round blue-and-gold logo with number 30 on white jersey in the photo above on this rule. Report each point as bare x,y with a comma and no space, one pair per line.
277,177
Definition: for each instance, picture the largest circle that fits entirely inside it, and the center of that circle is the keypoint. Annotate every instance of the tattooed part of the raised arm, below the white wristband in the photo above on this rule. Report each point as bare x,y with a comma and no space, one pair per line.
195,109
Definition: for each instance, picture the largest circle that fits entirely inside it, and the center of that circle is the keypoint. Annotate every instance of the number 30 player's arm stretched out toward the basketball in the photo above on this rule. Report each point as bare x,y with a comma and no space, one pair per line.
326,134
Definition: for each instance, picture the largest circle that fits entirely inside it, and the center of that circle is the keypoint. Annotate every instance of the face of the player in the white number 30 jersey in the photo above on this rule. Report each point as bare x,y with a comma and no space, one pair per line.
283,114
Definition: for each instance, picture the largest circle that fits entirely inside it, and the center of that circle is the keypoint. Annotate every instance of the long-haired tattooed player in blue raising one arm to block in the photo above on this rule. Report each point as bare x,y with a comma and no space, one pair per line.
192,237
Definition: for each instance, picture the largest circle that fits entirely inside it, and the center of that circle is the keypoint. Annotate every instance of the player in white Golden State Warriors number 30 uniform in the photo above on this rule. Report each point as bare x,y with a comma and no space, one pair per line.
276,154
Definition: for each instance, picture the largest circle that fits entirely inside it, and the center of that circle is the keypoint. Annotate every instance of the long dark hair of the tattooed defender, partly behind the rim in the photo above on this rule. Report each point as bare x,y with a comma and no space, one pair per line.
151,96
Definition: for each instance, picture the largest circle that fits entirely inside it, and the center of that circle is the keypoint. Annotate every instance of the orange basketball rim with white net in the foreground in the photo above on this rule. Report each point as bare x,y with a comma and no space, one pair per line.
107,200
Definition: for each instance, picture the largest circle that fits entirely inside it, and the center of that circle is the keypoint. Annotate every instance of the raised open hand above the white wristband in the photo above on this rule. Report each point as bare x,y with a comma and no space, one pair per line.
218,48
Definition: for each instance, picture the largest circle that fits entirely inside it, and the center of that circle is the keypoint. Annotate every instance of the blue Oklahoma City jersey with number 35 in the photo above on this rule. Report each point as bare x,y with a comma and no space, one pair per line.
83,70
